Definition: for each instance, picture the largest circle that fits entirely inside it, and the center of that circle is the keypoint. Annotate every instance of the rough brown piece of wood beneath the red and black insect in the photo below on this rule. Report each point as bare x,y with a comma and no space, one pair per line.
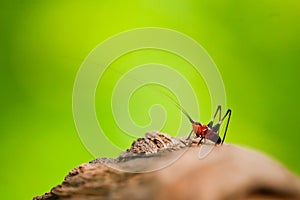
228,172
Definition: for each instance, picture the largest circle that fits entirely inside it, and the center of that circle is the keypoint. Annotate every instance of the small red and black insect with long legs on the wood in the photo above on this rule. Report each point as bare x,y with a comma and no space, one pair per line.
211,130
